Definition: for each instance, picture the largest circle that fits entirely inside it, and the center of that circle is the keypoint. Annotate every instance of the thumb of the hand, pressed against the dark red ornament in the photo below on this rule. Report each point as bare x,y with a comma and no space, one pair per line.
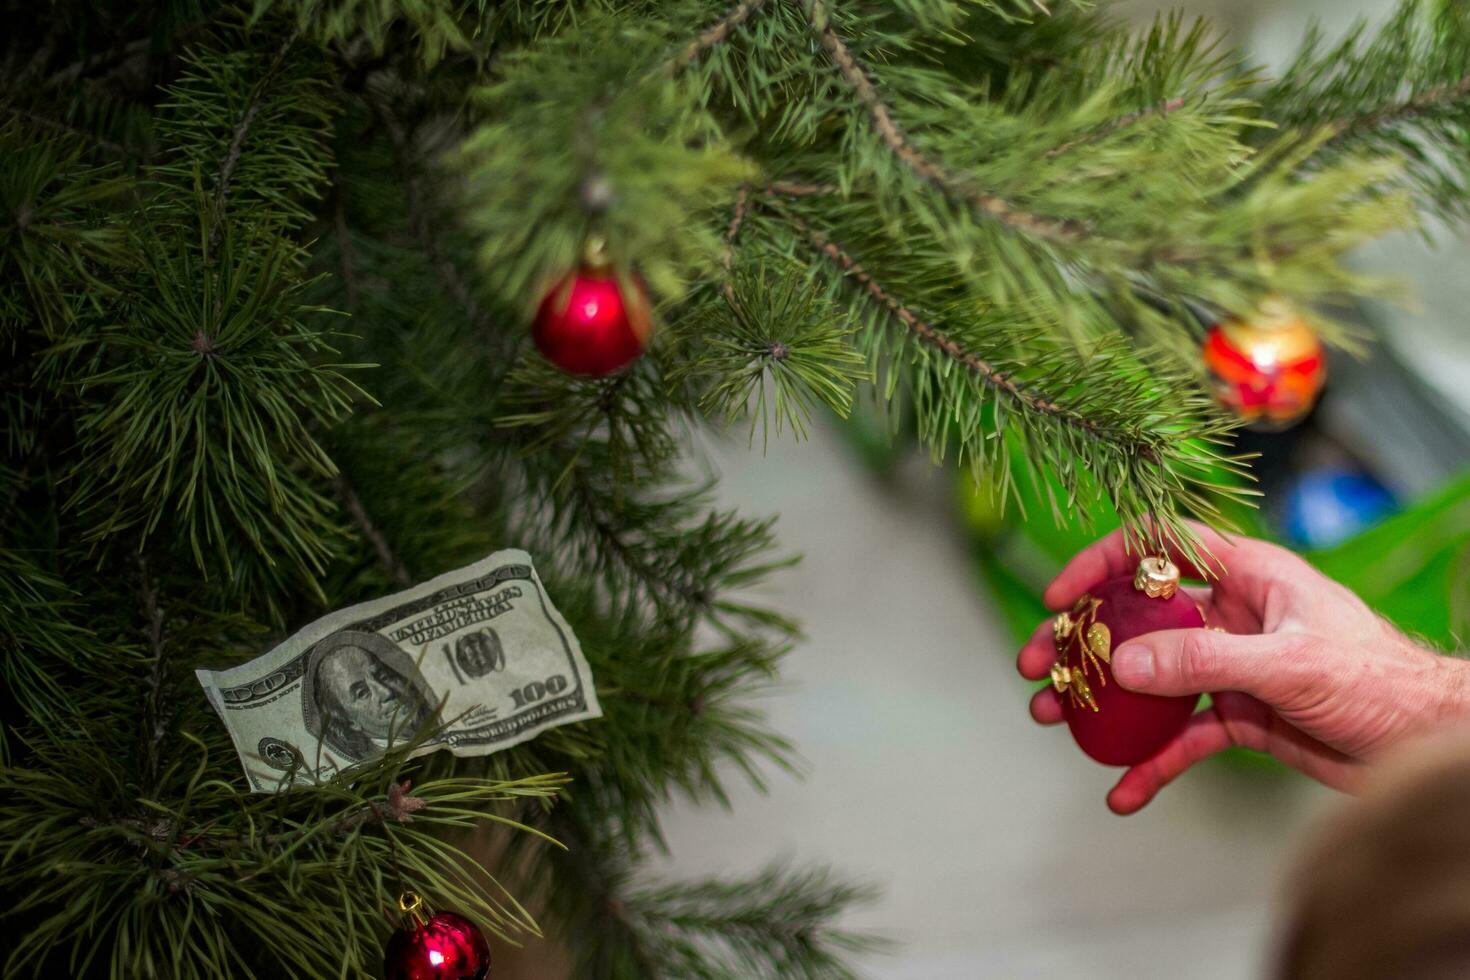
1274,668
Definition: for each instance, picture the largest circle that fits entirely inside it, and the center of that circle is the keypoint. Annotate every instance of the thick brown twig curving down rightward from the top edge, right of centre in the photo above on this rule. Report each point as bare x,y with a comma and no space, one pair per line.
931,171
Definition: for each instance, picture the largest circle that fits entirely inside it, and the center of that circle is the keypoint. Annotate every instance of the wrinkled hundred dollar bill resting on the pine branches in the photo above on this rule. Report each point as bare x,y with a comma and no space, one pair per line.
480,652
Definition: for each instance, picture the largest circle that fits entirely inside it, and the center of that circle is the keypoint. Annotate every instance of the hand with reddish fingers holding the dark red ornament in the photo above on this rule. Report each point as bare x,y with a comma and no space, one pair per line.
1306,672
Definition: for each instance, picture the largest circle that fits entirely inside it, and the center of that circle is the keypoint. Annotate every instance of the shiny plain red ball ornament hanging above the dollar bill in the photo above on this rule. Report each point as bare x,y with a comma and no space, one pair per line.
592,323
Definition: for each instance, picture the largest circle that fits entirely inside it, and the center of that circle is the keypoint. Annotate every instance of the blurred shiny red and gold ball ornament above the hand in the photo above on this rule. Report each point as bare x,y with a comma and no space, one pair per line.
1269,370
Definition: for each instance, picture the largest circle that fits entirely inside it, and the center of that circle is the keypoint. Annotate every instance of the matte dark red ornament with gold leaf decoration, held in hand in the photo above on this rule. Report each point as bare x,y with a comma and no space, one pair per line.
1114,725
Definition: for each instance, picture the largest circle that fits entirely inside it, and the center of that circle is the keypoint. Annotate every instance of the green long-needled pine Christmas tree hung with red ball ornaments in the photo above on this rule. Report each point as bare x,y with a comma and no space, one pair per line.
268,283
